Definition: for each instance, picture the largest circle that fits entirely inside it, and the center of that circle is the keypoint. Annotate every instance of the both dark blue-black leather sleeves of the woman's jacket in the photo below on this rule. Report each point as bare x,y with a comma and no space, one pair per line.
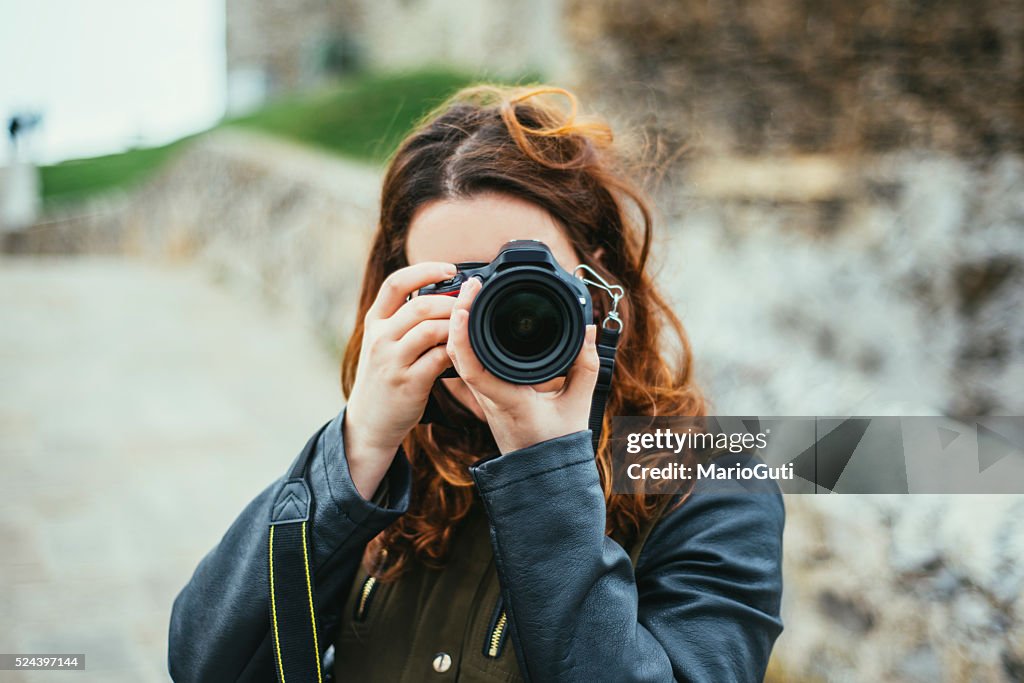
703,604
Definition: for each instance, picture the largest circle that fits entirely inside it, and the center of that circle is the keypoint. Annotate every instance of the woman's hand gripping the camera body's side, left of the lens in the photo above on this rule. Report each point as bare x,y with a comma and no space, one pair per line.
403,354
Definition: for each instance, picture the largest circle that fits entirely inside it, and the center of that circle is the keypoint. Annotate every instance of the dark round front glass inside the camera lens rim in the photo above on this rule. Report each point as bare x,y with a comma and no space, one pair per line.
528,324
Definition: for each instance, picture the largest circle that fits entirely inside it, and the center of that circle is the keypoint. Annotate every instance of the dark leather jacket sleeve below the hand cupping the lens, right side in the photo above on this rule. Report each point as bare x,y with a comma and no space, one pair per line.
703,606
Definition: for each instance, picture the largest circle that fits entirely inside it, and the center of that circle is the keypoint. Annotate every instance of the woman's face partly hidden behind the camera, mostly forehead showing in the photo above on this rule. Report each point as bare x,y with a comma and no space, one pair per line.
476,230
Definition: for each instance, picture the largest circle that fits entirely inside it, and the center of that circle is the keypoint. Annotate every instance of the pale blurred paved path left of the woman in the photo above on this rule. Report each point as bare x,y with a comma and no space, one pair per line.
142,407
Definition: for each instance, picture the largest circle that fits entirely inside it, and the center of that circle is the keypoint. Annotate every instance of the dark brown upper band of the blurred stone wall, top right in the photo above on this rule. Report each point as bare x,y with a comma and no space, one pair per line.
771,76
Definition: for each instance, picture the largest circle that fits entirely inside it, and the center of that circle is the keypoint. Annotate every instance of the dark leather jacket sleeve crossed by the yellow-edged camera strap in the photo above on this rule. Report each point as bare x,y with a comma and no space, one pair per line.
221,622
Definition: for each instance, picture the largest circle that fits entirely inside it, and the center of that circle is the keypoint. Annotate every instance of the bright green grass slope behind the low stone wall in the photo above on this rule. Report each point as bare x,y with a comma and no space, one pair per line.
363,118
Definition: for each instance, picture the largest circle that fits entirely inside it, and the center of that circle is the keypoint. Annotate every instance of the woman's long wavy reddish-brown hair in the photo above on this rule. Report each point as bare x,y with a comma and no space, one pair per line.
518,142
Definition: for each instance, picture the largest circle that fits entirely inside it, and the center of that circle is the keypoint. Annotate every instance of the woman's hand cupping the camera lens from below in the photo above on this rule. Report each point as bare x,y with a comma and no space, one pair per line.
519,415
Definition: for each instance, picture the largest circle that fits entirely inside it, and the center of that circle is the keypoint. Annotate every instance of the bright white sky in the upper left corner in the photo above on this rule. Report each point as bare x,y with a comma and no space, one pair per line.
110,74
